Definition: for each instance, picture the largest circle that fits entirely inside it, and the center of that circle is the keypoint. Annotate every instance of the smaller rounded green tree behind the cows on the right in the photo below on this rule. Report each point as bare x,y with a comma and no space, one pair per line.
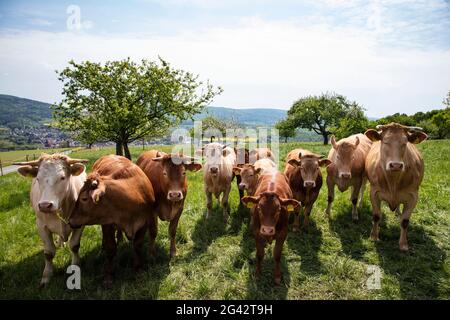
323,114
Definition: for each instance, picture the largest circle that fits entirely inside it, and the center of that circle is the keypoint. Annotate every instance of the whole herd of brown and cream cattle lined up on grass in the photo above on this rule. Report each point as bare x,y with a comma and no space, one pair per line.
125,197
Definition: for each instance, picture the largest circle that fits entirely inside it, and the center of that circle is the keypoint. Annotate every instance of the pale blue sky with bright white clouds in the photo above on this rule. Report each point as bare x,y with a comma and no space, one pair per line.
387,55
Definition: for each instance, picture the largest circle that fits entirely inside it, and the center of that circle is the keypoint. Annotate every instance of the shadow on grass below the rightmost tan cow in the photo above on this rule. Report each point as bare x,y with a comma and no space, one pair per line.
419,272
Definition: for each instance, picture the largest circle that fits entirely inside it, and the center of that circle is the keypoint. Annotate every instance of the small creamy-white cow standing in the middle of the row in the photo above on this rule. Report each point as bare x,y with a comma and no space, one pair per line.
220,160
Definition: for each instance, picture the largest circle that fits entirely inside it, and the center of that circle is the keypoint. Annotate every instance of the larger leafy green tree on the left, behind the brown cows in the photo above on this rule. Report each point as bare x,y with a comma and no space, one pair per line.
122,101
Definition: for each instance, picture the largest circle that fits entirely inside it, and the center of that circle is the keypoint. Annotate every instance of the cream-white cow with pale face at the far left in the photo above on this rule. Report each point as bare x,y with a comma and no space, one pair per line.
57,180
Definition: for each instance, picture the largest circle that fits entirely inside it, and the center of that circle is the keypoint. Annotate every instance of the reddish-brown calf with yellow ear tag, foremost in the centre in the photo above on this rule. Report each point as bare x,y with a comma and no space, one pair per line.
270,207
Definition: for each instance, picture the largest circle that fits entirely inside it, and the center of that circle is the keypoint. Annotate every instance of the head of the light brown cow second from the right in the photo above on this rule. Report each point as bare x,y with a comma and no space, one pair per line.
343,160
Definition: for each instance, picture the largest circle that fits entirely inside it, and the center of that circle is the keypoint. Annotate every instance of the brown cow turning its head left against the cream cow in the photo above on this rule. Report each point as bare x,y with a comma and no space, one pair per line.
122,196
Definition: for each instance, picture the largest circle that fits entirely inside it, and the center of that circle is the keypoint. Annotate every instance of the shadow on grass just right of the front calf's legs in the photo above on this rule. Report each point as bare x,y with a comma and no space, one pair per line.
306,244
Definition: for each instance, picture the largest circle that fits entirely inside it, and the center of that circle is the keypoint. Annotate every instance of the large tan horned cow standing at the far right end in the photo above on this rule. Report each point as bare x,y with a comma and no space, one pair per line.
395,170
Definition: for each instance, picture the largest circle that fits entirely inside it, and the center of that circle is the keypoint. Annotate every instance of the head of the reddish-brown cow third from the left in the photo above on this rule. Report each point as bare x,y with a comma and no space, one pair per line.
174,168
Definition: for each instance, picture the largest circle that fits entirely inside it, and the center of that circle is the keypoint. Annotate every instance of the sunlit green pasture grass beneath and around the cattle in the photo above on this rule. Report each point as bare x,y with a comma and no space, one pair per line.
218,262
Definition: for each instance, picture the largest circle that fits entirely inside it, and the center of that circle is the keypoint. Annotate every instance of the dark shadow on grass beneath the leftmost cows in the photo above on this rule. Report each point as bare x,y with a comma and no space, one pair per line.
21,280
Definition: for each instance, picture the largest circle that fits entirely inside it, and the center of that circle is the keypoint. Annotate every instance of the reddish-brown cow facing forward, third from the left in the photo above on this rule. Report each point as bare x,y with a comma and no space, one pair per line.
167,173
